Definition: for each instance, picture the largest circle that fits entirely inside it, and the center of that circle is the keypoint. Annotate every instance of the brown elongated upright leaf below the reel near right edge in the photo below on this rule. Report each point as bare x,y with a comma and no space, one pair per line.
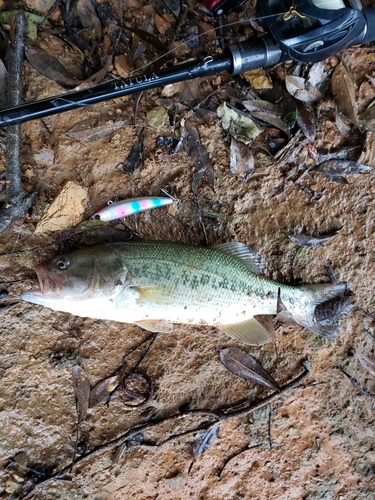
344,91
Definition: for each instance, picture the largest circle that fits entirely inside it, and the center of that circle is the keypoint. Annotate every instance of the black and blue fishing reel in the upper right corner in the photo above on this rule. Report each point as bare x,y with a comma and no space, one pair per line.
309,30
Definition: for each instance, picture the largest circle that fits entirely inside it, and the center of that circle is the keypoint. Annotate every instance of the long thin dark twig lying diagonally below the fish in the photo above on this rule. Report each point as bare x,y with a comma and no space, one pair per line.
212,416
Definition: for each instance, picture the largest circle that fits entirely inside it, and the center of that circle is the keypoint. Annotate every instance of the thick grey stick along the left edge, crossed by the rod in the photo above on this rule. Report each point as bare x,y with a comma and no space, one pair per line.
19,201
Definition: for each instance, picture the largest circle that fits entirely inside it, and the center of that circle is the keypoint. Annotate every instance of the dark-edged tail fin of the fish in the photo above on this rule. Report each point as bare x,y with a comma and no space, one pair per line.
325,304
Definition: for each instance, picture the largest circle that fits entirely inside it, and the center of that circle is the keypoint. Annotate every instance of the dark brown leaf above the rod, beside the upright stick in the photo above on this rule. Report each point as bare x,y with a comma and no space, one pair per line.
50,67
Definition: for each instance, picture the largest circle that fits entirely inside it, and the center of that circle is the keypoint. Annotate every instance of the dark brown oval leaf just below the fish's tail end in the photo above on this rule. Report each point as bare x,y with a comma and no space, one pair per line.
245,366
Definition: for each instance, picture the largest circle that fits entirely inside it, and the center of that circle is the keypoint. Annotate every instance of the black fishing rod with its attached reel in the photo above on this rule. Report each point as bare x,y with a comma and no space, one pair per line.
306,31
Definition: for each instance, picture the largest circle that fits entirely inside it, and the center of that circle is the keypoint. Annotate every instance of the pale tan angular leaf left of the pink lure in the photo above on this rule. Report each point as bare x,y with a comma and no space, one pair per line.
67,209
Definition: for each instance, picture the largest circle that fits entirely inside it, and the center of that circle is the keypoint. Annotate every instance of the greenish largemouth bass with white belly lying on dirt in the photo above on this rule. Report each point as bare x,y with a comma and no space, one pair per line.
156,284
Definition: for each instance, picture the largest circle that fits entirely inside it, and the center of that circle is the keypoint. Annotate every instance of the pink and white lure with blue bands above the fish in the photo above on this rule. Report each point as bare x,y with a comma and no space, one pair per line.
132,206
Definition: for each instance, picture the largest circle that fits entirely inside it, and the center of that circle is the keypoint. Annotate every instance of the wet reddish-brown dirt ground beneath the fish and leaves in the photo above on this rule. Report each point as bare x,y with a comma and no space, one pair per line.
314,440
